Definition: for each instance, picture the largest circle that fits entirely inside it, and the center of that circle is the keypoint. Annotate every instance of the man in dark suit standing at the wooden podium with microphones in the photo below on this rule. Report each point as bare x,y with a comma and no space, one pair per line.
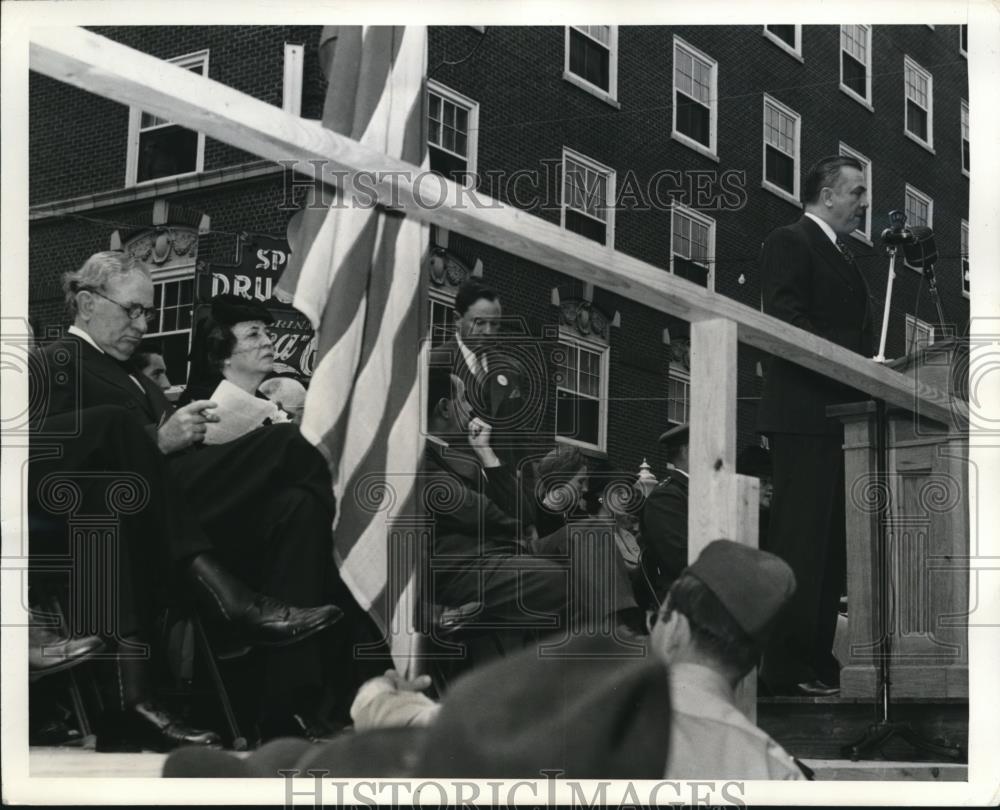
810,279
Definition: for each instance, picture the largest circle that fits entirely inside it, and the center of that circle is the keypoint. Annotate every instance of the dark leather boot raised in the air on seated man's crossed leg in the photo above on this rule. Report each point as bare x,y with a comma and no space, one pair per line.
251,617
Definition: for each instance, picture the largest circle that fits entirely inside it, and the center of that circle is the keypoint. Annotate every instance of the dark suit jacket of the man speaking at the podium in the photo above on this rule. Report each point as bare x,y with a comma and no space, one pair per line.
807,283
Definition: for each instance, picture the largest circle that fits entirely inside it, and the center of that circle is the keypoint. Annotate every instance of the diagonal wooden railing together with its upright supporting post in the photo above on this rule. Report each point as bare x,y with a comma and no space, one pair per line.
722,503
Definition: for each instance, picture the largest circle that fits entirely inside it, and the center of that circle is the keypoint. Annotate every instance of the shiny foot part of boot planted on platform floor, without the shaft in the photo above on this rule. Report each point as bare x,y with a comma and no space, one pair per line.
147,726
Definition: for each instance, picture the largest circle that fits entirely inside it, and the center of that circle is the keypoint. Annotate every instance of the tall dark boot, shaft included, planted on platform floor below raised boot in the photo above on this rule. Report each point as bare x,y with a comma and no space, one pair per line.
133,721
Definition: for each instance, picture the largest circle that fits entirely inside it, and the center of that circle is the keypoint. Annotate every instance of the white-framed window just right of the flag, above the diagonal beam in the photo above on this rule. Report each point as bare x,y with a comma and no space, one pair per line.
452,132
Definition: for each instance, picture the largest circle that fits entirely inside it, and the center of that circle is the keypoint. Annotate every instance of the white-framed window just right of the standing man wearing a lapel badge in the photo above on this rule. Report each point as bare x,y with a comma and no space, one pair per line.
582,392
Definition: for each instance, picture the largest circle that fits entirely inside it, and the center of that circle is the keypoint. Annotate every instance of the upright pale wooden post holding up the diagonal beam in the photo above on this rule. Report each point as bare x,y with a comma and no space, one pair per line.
721,504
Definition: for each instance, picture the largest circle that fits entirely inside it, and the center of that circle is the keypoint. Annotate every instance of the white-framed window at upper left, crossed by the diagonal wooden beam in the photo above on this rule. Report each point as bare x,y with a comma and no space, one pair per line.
158,148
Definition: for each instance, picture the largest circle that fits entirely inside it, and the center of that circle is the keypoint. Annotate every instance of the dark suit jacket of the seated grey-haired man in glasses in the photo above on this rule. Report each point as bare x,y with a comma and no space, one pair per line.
75,375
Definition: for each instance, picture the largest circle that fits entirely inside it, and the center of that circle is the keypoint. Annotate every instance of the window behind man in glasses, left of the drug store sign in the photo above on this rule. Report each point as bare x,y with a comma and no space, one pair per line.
173,298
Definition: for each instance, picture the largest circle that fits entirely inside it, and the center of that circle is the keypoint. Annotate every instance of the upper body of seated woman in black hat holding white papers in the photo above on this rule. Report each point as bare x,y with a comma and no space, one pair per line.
229,361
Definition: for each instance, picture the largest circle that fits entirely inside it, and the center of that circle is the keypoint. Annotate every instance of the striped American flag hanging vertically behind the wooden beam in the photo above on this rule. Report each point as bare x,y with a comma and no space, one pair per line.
356,273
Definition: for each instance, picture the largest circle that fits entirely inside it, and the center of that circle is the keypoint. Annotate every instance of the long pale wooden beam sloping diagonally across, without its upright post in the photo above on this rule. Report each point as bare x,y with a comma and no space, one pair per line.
112,70
